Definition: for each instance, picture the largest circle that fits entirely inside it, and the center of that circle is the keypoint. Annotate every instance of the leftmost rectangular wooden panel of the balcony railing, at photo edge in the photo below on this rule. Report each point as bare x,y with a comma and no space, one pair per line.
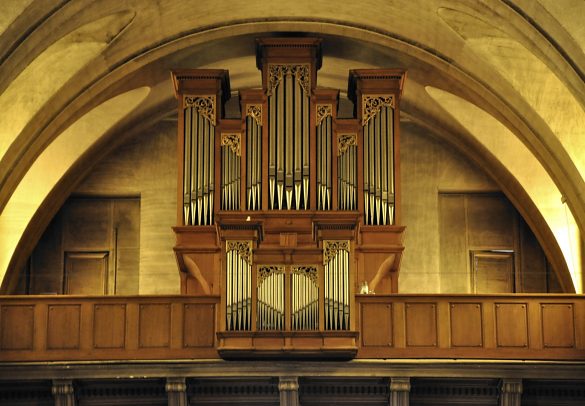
16,327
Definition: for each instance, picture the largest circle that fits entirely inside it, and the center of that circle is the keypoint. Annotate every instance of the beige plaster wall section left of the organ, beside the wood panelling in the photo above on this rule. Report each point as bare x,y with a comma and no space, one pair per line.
146,167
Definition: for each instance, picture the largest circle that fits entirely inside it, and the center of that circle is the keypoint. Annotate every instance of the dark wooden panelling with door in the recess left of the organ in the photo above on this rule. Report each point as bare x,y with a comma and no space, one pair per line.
92,247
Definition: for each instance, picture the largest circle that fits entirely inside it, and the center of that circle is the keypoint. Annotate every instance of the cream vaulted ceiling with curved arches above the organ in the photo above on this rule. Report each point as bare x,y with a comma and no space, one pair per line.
500,80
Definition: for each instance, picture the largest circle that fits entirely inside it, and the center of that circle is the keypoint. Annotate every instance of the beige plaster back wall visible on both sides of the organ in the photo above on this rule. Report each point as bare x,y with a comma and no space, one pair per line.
146,166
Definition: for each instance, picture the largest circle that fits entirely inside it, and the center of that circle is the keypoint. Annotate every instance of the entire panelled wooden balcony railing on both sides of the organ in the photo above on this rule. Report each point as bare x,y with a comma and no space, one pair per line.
75,328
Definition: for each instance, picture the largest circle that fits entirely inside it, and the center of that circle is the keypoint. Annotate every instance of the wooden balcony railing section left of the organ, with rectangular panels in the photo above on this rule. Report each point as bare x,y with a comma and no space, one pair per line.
52,328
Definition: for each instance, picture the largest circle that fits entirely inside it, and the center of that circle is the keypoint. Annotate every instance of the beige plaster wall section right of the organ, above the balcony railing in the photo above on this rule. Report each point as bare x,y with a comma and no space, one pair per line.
429,167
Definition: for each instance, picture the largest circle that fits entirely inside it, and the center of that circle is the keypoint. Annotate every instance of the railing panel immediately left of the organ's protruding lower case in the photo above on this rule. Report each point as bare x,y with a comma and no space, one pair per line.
198,325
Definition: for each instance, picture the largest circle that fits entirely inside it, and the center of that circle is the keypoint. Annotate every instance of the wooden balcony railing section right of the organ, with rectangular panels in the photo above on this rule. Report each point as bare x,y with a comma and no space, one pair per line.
472,326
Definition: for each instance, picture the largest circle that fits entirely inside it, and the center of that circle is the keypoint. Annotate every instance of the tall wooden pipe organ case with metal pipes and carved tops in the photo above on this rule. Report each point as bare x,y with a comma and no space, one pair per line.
289,212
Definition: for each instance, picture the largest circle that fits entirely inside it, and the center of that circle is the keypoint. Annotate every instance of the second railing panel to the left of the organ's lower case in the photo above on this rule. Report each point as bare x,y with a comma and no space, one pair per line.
154,325
